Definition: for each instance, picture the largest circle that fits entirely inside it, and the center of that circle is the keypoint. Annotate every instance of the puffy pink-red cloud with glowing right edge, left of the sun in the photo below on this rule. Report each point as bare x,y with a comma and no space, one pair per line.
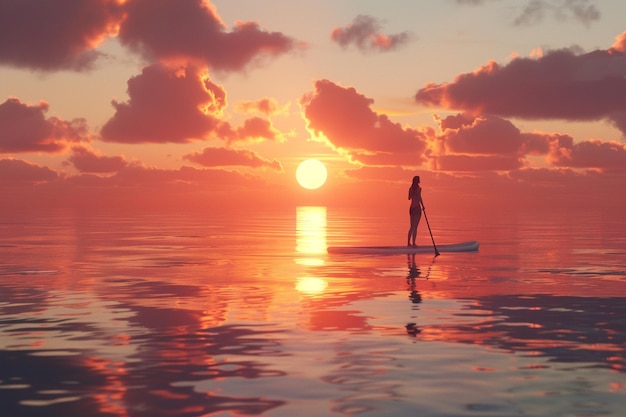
166,106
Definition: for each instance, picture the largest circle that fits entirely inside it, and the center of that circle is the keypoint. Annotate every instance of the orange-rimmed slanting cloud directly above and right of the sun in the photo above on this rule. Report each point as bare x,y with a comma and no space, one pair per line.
344,119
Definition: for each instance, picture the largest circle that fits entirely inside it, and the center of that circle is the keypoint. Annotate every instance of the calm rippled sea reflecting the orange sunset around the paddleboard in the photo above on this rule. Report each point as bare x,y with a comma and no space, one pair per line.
218,315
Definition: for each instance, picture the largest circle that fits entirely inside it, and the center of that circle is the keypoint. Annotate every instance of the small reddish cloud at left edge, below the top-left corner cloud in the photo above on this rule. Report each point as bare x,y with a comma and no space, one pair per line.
24,128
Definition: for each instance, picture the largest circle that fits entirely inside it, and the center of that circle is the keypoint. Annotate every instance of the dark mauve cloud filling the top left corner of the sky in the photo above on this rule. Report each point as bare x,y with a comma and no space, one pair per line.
55,35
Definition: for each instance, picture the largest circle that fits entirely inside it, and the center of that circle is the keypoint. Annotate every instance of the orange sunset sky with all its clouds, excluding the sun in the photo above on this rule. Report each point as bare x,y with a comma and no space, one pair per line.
187,103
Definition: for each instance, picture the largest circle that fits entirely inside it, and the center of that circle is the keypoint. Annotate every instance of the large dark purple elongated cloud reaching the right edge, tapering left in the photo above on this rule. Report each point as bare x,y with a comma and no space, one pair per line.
558,85
